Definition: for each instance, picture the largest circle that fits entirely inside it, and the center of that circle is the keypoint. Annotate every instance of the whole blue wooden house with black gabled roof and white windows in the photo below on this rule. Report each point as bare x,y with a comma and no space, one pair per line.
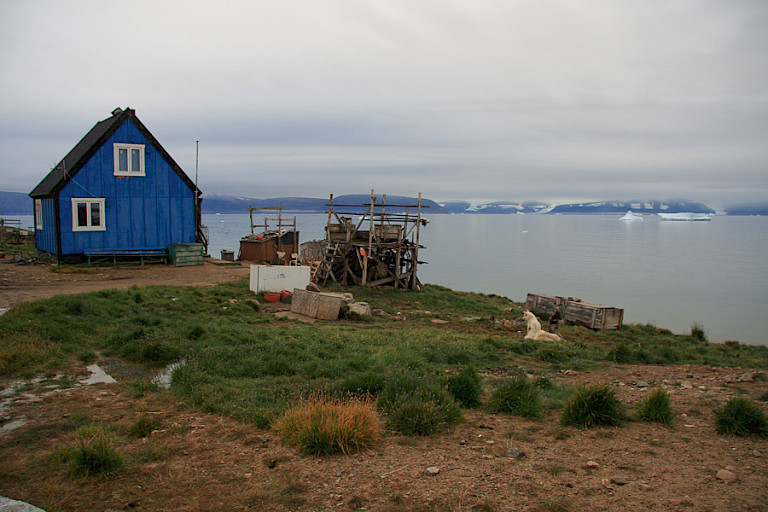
117,192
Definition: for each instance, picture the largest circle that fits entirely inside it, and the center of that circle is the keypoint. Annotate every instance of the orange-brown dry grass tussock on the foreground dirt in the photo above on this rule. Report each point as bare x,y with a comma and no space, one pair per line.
325,426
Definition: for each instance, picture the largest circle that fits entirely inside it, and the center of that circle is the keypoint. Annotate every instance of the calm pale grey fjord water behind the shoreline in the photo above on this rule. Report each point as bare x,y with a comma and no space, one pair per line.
670,274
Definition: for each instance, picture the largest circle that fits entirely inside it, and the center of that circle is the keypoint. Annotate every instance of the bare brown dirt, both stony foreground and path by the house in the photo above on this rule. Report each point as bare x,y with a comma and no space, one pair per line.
205,462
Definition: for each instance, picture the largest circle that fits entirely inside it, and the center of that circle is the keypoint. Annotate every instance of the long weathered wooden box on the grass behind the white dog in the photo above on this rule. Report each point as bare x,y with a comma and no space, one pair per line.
594,316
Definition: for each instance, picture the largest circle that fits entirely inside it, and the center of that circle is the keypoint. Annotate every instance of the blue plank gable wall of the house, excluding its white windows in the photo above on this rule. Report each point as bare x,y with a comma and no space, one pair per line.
155,210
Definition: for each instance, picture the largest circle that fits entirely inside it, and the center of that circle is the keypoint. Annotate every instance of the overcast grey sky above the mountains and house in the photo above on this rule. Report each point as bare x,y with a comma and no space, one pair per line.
485,100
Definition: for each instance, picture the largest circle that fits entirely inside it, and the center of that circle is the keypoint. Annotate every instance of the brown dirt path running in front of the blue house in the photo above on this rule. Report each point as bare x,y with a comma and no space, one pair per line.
23,283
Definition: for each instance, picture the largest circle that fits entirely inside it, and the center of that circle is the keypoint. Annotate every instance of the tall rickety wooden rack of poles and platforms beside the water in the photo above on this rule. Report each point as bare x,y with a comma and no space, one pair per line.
384,254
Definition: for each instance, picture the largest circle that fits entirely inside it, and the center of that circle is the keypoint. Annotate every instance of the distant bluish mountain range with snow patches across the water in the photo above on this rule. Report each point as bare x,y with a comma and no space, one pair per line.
18,203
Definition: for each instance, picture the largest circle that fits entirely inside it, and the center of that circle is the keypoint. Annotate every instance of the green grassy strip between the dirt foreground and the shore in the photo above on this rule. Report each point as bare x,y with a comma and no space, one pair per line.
244,363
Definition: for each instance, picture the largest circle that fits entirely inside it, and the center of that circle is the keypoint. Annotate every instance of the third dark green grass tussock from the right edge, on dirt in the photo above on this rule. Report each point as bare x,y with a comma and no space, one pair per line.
593,406
